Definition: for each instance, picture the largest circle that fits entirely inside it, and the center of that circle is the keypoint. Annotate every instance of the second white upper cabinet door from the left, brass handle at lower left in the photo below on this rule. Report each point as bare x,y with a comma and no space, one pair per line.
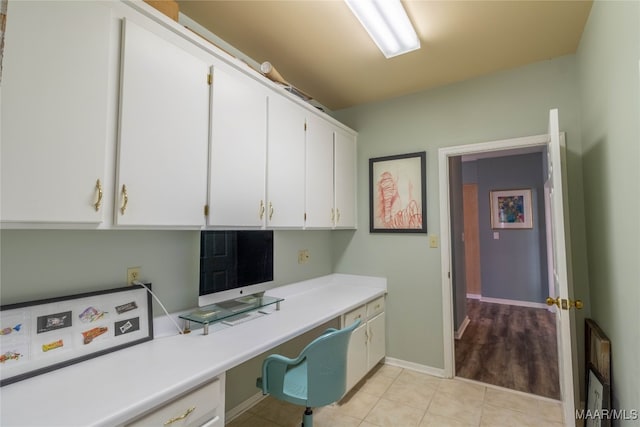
162,158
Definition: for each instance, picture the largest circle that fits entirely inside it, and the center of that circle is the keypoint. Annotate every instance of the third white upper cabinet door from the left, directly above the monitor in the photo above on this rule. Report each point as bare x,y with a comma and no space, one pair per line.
238,150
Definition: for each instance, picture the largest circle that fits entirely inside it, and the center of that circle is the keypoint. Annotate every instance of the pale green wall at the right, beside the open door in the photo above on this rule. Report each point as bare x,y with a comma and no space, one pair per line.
609,70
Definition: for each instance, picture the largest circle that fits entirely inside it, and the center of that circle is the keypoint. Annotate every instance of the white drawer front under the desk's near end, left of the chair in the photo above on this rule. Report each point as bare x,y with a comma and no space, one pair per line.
200,407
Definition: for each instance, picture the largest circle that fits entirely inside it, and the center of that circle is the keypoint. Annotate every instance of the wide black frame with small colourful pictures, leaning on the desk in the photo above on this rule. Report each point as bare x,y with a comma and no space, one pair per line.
48,334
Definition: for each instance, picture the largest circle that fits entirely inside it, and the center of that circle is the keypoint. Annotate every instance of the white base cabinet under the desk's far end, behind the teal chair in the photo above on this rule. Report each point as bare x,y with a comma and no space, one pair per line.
367,345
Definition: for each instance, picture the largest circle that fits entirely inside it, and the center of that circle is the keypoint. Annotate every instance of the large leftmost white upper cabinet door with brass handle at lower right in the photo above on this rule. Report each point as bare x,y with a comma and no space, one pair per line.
54,111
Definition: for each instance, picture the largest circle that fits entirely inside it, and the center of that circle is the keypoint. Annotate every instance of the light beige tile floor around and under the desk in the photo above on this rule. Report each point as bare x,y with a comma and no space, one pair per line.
393,396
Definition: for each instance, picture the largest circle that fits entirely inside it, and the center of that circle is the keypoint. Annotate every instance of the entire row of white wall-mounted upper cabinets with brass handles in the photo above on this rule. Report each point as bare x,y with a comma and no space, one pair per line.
111,118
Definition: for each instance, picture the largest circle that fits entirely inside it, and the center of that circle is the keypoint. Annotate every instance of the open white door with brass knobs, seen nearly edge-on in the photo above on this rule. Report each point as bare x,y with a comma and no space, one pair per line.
560,274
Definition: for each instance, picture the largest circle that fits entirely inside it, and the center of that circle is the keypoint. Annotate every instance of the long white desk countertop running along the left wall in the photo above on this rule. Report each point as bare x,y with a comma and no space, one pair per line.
112,389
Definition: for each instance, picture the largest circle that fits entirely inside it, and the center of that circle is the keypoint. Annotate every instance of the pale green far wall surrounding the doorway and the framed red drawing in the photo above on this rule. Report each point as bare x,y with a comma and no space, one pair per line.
503,105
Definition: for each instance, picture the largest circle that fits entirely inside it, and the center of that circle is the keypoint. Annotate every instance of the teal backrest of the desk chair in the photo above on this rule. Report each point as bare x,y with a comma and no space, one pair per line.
326,358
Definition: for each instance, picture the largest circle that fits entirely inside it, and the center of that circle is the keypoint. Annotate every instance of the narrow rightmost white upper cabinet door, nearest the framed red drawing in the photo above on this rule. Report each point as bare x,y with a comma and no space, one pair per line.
345,180
